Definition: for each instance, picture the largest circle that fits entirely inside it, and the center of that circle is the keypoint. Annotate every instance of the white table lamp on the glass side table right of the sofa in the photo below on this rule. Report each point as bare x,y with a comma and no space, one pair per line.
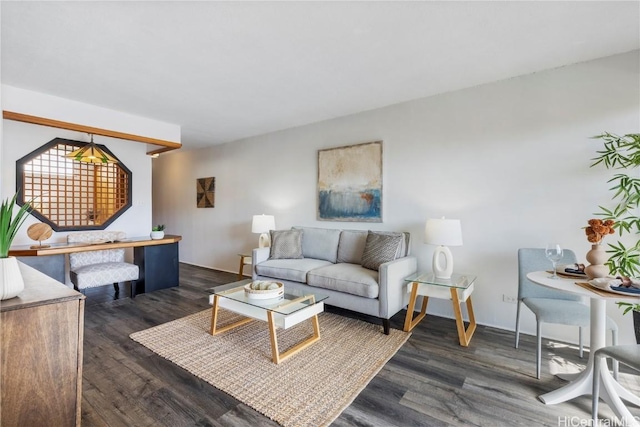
443,233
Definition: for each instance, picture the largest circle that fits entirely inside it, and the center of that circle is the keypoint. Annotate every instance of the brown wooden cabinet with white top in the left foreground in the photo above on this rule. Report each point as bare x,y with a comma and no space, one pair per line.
41,354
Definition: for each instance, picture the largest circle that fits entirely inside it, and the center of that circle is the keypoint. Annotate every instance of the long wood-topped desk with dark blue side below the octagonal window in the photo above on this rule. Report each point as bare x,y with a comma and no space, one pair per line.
157,259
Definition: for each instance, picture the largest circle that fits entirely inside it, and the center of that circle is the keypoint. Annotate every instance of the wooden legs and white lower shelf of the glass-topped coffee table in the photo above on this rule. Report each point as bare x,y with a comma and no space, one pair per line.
273,319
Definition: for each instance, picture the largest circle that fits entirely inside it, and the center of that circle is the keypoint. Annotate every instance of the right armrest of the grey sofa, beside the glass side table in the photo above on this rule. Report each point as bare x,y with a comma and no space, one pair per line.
393,295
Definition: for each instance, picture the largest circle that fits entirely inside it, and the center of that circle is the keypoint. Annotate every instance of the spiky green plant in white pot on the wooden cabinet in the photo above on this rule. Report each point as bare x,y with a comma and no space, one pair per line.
11,283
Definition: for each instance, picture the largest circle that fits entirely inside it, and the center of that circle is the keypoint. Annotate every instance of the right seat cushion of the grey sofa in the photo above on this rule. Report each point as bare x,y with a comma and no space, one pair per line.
349,278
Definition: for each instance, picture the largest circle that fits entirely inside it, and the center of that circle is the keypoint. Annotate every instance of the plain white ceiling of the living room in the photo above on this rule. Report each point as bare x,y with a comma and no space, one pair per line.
229,70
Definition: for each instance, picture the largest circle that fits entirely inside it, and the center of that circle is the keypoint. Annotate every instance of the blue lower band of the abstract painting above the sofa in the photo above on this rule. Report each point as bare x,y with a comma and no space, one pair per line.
350,205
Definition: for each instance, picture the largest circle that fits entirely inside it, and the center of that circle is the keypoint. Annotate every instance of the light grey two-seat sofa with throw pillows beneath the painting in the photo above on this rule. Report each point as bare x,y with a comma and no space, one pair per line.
330,262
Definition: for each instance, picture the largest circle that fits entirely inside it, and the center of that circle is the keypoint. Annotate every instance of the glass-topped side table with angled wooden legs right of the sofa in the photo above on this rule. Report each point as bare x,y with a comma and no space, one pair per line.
458,289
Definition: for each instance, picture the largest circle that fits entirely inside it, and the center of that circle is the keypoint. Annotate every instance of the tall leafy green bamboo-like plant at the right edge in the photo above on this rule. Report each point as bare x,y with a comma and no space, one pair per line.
622,153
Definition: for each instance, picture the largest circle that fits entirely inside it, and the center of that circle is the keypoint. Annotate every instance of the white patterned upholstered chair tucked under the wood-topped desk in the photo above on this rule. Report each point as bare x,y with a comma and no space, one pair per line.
101,267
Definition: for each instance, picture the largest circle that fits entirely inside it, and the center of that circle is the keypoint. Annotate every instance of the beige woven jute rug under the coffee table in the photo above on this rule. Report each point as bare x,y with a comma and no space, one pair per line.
311,388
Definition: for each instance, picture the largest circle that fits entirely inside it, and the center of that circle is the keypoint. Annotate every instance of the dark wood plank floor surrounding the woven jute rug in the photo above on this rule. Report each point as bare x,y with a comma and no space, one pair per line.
431,381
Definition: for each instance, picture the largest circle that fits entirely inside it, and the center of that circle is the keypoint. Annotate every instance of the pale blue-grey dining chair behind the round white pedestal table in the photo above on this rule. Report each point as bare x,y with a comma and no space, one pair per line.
550,305
